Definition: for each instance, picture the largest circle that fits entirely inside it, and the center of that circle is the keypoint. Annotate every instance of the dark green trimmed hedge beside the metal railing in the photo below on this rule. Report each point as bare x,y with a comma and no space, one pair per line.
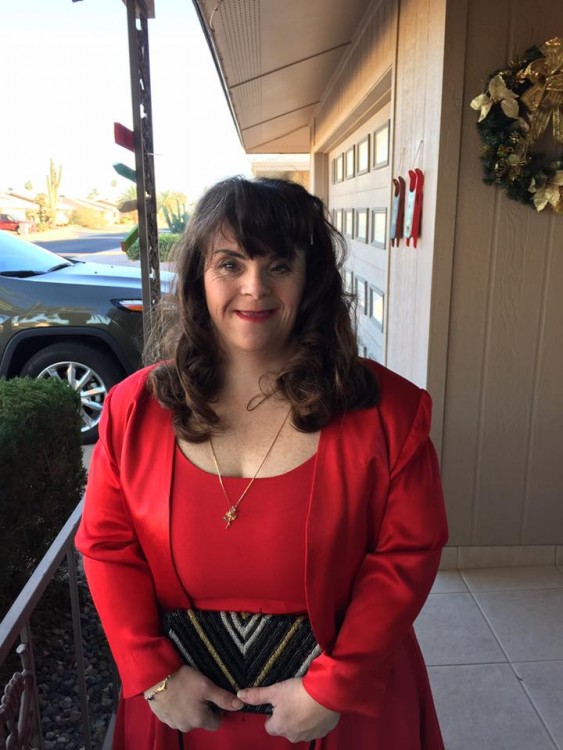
42,476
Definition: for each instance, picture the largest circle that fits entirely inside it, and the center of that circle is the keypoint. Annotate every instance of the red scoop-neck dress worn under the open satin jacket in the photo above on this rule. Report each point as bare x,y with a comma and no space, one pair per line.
261,568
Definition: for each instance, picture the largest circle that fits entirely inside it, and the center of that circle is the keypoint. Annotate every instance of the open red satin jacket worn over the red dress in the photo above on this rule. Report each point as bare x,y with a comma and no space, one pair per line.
376,526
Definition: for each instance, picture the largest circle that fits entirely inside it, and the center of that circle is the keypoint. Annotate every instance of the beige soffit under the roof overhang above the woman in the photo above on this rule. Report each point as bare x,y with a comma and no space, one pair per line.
276,58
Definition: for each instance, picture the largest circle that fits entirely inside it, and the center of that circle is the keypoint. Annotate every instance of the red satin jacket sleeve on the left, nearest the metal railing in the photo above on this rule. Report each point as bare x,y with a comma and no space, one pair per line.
118,575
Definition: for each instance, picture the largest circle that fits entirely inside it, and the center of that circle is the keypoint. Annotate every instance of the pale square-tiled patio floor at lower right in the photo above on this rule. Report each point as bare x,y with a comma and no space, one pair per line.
493,642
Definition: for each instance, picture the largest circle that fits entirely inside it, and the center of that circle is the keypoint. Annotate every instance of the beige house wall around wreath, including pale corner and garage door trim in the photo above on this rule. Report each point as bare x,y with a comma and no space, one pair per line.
476,311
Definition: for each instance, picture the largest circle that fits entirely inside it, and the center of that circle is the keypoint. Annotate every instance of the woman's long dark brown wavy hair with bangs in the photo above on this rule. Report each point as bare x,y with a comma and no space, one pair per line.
324,377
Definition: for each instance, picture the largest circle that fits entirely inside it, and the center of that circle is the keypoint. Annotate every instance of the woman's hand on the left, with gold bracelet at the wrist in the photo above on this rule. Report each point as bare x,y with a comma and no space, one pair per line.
185,704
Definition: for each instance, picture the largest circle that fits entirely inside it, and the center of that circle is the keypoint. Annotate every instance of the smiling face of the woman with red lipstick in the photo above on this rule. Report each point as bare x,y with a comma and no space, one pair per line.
253,303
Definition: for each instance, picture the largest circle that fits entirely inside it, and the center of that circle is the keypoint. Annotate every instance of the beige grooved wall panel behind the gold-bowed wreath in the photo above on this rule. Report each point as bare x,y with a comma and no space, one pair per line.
502,456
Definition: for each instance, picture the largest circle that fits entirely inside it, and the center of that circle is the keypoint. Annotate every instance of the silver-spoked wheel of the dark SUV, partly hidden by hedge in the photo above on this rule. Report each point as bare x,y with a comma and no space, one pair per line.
89,372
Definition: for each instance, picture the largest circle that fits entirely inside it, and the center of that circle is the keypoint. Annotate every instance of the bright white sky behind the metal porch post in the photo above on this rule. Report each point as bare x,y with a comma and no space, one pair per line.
65,80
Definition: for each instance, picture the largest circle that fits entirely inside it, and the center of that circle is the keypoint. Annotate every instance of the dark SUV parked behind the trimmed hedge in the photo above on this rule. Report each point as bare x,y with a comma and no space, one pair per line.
67,319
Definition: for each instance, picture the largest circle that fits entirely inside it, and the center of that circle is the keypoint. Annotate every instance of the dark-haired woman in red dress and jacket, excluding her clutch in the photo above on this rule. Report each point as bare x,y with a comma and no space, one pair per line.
263,467
